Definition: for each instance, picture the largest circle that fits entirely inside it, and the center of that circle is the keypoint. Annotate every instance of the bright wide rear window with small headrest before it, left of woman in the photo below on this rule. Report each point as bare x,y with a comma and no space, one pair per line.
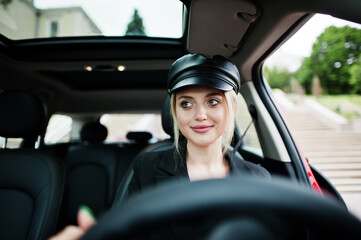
119,125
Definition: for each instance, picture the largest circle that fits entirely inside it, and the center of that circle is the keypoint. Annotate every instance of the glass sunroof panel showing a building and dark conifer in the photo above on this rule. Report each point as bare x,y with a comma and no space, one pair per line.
73,18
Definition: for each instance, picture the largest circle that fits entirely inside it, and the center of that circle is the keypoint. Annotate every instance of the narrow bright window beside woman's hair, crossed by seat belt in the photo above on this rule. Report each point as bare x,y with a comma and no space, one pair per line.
246,128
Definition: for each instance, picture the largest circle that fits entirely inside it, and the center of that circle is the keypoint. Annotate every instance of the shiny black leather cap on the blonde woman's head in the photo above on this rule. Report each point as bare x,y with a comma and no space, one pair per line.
196,69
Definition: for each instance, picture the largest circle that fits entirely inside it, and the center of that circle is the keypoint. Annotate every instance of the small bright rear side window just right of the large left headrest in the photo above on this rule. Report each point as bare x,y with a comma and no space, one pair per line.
59,129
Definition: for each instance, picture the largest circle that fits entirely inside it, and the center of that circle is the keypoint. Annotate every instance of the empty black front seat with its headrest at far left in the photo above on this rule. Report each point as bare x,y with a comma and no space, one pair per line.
31,181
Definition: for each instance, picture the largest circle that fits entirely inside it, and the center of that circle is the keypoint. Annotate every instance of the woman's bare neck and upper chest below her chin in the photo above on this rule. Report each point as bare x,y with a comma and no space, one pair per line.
206,162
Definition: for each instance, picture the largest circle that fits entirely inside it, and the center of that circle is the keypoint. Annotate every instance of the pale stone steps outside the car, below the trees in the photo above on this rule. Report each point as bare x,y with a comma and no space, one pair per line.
331,146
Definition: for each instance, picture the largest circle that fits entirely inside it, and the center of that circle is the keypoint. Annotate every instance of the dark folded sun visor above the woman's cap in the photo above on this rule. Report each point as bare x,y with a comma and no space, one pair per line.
218,26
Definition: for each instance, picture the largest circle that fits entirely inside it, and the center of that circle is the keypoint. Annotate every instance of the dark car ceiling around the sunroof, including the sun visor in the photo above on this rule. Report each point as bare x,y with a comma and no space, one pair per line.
244,31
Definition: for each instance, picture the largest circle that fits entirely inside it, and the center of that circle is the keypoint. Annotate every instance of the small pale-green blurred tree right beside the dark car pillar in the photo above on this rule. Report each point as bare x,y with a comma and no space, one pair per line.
278,78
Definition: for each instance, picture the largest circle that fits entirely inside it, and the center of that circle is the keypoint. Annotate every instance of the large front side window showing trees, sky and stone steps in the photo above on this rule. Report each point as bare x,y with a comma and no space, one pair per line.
316,81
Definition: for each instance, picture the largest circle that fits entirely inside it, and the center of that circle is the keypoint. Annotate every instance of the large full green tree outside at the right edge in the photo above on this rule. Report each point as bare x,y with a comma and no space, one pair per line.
333,53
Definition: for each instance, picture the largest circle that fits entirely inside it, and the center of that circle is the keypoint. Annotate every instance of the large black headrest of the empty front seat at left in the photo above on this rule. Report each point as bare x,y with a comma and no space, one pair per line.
22,115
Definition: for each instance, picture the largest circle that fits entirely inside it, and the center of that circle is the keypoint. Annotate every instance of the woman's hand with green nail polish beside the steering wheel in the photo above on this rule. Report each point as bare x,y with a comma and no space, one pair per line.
85,221
